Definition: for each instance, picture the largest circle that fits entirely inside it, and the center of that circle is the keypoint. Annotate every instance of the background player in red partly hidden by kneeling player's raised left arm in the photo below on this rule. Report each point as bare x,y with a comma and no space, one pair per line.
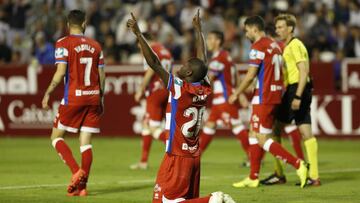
156,100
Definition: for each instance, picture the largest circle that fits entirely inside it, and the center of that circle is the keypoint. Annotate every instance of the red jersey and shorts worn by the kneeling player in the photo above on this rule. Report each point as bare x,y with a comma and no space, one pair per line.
179,174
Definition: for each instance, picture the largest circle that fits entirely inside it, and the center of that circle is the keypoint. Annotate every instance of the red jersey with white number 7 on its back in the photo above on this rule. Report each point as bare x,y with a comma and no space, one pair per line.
83,57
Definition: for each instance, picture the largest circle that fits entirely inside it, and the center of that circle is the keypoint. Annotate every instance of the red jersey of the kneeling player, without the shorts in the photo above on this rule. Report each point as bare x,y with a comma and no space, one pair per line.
187,103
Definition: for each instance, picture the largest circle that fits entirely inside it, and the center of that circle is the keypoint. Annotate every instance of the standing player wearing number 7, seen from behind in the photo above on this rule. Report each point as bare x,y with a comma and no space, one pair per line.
80,63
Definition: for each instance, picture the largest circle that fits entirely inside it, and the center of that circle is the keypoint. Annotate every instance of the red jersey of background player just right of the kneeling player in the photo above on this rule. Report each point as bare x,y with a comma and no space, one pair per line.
222,67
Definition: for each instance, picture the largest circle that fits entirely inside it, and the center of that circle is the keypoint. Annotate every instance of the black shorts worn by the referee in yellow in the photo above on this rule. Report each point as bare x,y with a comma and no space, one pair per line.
302,116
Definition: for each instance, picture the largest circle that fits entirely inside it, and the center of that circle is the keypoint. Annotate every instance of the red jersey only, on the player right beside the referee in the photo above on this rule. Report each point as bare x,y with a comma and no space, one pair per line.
265,54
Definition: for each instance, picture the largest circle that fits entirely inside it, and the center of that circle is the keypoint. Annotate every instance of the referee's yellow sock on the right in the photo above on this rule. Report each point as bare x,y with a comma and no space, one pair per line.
312,153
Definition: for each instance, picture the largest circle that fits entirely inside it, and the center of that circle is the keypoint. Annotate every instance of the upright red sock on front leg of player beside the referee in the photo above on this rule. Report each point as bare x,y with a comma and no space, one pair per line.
255,155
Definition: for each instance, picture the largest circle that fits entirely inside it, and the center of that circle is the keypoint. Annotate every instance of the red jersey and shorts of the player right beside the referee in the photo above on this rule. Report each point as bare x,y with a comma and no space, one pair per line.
265,55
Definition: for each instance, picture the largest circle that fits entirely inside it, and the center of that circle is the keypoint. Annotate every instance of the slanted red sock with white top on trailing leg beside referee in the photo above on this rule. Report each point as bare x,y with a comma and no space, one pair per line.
279,152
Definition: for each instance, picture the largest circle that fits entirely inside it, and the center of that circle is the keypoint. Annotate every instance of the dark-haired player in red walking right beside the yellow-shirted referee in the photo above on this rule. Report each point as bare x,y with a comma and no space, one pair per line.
264,65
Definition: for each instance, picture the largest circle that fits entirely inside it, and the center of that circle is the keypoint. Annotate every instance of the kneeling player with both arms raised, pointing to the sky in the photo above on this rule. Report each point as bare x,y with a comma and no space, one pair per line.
178,178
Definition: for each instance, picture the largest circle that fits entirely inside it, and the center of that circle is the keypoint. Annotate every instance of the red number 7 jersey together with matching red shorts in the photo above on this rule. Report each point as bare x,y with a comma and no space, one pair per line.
80,106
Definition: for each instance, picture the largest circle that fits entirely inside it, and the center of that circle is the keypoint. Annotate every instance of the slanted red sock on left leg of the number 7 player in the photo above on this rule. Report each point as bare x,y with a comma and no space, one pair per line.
65,154
